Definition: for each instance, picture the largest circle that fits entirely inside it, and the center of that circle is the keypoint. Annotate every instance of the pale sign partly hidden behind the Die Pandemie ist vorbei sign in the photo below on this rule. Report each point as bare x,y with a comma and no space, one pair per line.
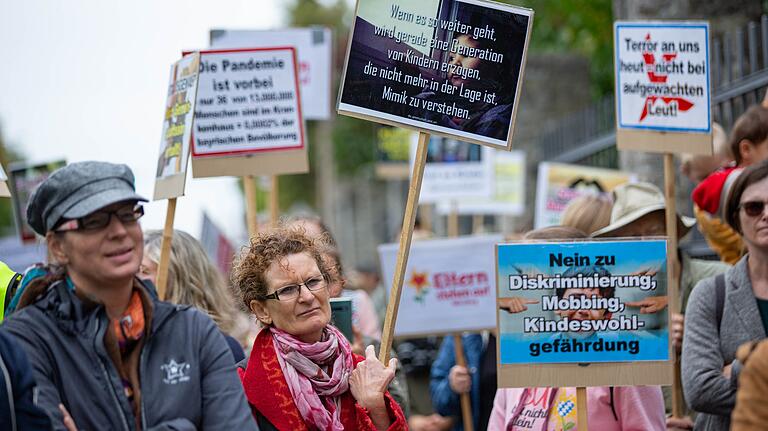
314,53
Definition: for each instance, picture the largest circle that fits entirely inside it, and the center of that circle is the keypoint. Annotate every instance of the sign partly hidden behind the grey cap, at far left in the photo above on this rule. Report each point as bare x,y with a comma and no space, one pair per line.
23,179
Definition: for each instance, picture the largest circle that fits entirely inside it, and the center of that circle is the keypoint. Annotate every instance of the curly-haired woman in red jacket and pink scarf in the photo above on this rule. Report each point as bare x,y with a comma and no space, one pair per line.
301,373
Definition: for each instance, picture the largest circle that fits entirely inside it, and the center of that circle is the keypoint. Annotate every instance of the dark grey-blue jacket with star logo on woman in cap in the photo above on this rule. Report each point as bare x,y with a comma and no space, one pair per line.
187,374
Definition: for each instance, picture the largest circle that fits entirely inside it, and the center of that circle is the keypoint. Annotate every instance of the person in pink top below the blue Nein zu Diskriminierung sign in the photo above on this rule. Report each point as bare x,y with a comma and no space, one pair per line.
630,408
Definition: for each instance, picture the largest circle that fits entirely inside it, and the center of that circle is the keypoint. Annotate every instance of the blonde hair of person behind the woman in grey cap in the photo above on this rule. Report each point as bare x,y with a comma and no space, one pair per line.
193,279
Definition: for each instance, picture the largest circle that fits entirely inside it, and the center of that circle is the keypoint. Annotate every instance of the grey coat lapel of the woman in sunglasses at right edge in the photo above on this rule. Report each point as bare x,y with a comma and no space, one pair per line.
739,293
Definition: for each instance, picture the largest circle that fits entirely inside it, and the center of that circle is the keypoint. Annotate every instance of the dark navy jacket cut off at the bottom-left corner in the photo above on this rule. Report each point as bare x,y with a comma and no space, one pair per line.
18,411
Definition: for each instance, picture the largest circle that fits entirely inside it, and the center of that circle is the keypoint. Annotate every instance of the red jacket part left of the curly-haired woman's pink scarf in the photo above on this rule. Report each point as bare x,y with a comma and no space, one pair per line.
266,388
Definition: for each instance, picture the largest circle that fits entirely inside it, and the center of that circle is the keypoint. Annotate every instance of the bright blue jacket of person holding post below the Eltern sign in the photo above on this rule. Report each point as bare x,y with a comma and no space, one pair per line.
444,400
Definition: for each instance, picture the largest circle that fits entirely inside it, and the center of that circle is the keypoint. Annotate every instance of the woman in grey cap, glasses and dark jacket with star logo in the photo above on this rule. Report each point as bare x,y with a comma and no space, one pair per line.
105,352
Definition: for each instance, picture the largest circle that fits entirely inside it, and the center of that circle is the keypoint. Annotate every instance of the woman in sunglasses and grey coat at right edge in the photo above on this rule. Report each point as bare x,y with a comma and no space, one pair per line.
727,311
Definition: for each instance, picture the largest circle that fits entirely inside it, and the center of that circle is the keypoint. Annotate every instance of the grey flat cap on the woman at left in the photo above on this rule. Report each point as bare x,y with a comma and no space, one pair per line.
77,190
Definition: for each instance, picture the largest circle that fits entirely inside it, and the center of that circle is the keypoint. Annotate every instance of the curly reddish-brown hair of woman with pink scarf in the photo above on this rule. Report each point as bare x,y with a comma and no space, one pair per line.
251,265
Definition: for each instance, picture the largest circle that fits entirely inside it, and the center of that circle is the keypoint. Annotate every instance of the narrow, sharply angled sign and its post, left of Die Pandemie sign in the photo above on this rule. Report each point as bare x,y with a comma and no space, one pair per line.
172,162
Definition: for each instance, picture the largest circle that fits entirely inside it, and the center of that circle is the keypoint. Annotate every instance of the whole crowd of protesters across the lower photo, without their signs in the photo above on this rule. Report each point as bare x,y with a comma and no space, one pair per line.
86,342
